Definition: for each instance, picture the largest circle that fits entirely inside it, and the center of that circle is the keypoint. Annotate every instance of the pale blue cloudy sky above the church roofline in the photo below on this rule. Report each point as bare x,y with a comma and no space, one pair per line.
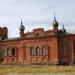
36,14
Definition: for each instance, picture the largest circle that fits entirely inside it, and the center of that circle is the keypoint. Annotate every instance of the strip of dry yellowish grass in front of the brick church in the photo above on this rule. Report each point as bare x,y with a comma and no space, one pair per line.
64,70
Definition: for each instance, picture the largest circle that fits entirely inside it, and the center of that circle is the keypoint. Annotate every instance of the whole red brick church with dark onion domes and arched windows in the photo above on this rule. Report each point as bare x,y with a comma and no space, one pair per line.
38,47
